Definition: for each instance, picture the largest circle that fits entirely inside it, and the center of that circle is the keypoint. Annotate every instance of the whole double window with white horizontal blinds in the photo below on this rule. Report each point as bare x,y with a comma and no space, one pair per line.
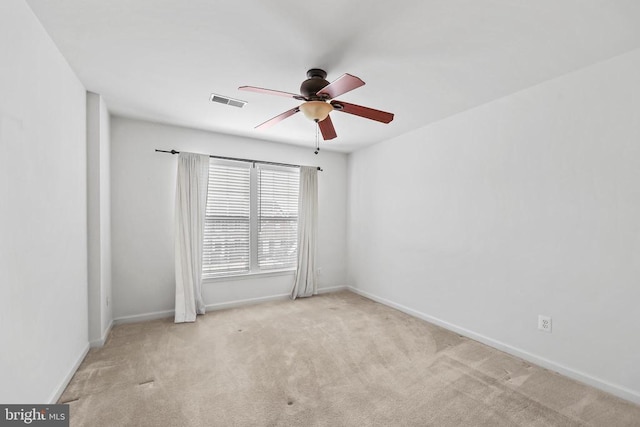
251,219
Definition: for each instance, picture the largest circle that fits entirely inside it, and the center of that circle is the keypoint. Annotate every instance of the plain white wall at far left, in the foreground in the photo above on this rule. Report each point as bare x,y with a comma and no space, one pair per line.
43,217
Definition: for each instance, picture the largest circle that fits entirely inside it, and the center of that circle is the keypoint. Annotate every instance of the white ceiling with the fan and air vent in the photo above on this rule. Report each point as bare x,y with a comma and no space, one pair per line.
421,59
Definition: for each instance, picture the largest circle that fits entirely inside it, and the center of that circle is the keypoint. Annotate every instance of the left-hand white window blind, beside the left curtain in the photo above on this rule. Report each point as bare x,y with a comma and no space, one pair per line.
226,244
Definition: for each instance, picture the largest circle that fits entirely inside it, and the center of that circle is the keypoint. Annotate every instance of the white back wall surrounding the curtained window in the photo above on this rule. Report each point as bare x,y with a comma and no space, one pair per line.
143,191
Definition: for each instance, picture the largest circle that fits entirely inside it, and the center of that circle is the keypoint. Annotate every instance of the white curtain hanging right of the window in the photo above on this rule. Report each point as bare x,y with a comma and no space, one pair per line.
305,282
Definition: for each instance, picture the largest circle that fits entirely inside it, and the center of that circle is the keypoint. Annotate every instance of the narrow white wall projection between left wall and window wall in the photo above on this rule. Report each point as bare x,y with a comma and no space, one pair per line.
99,218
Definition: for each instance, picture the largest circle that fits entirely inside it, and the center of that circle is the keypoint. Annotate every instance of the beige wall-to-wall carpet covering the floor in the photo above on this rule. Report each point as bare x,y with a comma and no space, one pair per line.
331,360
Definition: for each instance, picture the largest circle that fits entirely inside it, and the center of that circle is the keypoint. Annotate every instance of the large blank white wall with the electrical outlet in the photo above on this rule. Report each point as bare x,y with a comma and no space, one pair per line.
527,205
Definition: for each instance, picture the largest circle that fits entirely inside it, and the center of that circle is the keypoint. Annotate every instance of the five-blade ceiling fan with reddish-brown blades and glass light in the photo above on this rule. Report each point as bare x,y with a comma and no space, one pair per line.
318,95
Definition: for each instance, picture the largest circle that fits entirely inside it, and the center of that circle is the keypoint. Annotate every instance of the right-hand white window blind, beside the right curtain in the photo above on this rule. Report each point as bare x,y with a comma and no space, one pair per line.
277,217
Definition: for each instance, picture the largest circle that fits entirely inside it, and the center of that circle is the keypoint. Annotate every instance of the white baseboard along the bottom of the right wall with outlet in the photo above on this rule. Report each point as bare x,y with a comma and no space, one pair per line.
617,390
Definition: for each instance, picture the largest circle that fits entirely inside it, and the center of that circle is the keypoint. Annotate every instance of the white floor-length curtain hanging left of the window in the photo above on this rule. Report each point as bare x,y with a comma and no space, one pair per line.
191,199
